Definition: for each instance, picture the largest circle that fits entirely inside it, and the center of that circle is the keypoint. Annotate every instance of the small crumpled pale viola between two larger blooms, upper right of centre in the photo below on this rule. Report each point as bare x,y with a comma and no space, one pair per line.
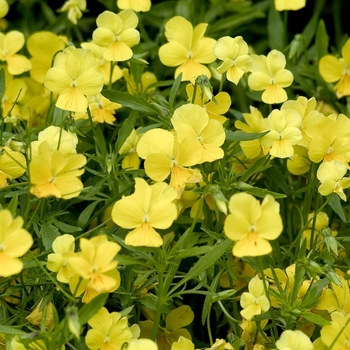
233,52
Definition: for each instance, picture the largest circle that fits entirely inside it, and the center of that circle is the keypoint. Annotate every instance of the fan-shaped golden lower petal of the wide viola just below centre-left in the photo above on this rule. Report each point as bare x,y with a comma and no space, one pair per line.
144,235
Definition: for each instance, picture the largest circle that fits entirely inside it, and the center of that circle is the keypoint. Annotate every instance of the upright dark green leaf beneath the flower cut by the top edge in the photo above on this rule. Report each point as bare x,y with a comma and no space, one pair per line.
275,29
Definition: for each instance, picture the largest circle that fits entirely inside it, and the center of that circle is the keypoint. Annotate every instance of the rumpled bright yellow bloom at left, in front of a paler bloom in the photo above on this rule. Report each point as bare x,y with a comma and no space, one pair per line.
53,174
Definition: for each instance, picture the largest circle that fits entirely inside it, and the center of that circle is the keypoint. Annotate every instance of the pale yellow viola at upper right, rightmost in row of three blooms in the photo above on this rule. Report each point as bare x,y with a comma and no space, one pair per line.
269,75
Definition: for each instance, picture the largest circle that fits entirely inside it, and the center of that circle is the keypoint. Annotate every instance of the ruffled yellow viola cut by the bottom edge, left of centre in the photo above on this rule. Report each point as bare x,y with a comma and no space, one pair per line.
108,331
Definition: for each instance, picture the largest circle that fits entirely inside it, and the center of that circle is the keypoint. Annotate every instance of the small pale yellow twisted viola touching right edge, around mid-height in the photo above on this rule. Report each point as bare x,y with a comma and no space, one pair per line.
331,175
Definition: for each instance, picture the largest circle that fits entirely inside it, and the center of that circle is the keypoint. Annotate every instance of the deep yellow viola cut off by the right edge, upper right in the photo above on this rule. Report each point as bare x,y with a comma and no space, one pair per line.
333,69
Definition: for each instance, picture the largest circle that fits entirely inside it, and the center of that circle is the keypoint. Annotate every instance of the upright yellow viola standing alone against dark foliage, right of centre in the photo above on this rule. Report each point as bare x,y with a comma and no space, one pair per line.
252,224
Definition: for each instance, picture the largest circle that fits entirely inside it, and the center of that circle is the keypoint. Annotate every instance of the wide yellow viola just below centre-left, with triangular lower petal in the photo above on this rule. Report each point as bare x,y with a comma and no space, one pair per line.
147,208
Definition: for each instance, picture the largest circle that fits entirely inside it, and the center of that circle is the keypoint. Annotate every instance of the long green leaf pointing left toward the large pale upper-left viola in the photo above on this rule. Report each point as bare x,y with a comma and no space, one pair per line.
130,101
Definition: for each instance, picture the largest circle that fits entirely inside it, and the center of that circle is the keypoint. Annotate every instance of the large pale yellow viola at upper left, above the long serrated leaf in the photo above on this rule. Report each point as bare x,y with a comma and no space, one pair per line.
74,76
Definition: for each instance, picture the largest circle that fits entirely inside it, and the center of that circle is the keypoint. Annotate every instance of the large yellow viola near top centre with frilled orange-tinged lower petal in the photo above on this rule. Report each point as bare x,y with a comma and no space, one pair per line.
187,48
